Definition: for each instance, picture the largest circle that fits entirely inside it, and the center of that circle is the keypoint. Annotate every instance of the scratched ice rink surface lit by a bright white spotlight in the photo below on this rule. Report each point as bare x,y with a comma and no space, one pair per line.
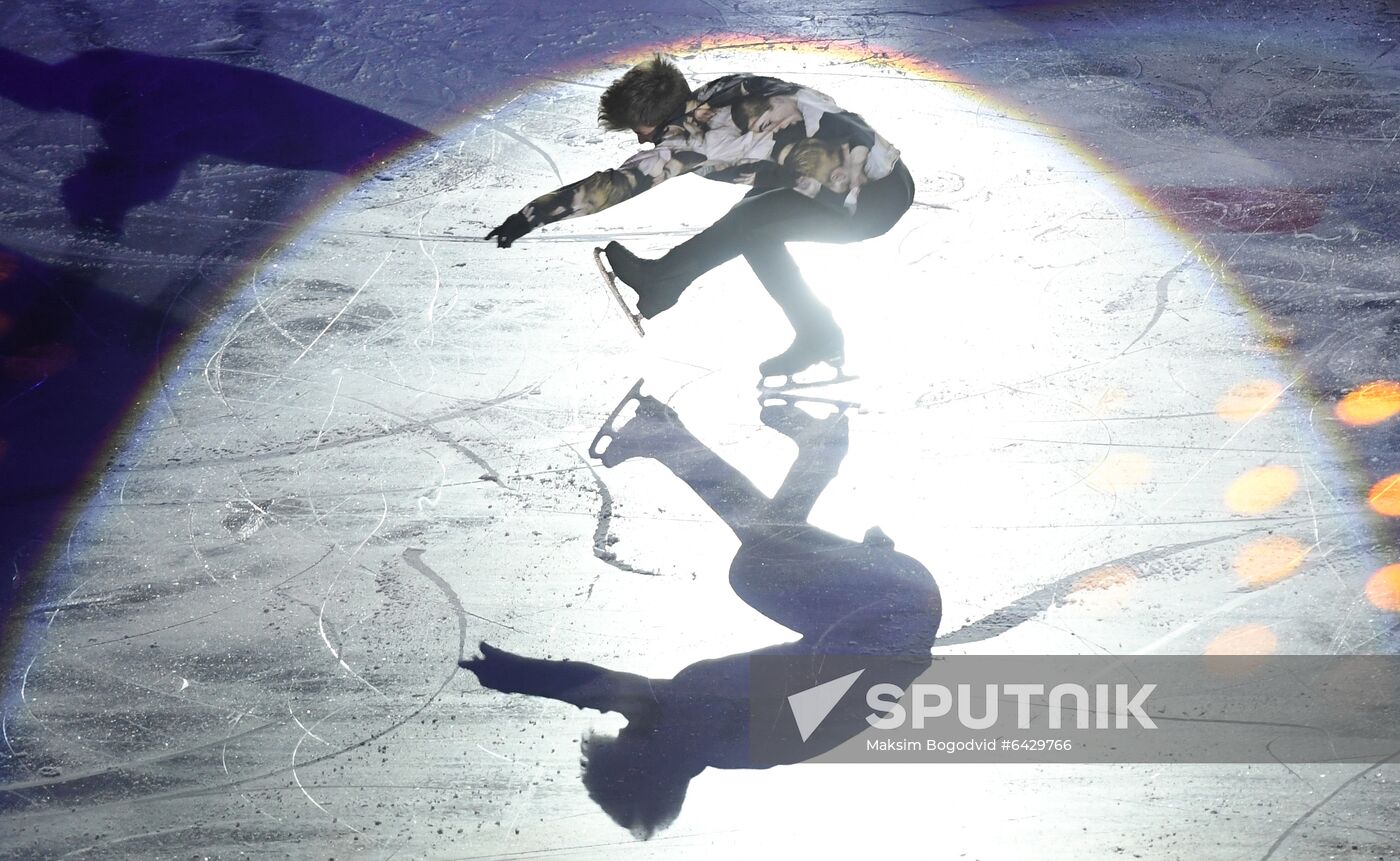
1150,251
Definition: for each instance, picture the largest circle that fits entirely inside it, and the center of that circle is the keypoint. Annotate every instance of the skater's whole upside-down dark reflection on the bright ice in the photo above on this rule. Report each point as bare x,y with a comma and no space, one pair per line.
849,601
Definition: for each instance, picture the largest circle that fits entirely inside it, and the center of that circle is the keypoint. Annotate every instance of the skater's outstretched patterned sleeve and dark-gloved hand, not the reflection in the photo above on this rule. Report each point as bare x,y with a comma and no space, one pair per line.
594,194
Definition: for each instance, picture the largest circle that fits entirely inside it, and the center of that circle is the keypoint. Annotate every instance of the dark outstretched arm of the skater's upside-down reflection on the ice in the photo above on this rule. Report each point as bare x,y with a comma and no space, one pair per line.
575,682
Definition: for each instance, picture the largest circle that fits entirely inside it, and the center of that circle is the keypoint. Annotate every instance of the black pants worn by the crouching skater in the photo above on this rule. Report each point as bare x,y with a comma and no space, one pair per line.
766,220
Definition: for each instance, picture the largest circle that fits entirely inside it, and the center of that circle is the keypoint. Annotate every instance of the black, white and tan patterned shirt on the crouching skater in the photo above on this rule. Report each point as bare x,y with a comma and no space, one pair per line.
745,129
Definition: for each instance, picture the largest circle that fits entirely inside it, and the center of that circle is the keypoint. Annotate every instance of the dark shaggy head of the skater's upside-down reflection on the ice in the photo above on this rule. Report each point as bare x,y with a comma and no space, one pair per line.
638,790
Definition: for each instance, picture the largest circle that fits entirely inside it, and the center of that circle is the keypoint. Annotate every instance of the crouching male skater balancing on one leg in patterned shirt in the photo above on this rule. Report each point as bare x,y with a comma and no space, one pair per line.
820,174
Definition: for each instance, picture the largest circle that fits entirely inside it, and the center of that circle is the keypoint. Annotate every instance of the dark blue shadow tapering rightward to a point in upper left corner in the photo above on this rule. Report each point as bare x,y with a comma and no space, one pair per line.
157,114
